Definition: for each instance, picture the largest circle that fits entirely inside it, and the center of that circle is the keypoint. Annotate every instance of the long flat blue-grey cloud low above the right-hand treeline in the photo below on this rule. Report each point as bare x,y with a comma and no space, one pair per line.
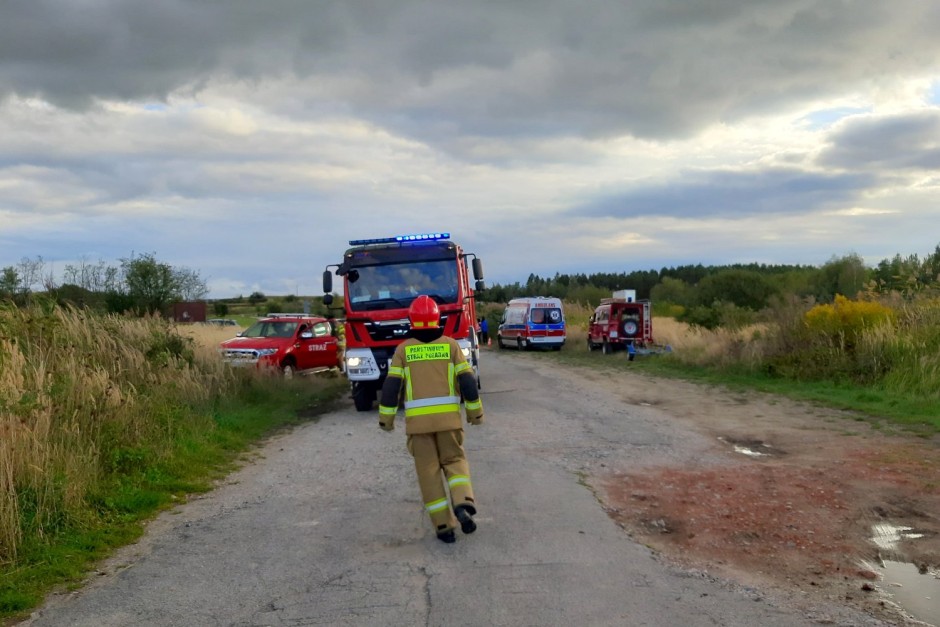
731,194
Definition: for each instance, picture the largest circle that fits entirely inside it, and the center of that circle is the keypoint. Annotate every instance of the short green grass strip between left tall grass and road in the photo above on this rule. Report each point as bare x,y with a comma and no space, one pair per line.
147,486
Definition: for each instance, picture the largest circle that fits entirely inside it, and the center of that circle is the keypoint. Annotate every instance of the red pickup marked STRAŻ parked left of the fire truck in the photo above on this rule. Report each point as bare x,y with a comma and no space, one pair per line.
290,343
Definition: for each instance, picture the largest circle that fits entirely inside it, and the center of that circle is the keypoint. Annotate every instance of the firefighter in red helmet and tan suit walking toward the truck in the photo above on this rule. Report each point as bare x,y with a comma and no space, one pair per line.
431,373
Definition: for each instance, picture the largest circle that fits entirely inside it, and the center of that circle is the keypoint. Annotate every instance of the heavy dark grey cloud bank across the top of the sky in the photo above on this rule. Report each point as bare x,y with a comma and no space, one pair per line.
648,68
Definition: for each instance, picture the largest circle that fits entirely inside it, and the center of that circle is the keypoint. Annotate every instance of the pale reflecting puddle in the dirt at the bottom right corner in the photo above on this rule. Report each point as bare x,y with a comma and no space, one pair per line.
916,591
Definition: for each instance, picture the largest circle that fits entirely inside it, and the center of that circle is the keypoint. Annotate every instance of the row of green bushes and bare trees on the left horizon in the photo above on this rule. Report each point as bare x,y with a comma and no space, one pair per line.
139,283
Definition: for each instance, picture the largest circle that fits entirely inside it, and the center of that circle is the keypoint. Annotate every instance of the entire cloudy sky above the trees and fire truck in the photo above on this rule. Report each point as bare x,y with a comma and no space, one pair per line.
250,140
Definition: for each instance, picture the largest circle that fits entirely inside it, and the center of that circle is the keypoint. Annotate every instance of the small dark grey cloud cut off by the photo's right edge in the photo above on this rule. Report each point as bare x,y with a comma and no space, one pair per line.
900,142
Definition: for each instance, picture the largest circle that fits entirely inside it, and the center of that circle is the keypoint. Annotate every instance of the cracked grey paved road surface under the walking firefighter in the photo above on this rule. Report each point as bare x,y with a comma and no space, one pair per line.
326,527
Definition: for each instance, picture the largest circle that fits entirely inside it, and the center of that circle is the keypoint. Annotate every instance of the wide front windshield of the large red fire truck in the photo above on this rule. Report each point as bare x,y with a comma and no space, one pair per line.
394,286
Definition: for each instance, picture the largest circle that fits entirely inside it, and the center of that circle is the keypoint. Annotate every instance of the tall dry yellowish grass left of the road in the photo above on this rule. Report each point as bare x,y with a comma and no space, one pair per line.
83,398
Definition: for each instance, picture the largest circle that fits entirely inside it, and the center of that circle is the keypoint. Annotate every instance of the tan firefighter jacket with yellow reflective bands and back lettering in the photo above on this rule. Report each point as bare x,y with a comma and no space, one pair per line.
433,377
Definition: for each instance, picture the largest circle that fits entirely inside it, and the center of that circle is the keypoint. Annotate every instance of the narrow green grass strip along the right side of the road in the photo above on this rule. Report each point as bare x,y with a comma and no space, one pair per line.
873,404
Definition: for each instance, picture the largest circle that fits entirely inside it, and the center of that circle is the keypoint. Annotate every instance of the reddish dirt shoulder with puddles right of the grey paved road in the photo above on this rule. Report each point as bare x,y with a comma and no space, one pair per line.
813,503
